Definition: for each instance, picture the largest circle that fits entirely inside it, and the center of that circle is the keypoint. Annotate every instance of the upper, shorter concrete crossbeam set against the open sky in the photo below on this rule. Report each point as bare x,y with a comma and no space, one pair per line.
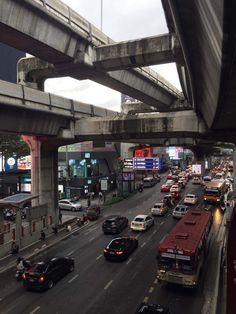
136,53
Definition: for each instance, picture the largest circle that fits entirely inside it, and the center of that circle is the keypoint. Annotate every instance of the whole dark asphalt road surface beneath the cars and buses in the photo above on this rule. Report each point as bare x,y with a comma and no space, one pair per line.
102,287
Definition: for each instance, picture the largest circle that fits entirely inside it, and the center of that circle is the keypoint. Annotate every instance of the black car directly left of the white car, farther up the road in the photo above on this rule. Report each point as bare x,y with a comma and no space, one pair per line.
115,224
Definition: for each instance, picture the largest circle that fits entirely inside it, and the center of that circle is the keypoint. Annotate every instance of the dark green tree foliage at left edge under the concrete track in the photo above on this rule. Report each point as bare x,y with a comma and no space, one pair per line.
13,145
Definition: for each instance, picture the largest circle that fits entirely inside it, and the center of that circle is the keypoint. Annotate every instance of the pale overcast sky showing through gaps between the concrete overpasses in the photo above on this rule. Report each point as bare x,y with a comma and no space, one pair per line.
121,20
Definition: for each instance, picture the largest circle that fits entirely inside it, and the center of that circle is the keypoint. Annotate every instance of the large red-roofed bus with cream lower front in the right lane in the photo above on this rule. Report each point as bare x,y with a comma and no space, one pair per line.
182,252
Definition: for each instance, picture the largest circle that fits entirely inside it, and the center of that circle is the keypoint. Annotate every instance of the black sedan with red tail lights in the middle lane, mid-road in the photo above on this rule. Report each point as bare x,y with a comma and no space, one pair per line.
120,248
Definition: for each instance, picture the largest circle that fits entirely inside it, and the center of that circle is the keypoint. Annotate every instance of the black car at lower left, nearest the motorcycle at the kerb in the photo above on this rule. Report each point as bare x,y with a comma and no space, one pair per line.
43,275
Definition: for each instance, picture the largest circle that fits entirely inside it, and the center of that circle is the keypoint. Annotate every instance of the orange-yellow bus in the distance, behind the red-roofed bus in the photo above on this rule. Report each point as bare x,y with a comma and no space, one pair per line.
214,191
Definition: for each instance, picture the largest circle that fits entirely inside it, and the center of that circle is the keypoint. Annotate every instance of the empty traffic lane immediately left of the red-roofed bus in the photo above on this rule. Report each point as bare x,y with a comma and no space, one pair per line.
128,290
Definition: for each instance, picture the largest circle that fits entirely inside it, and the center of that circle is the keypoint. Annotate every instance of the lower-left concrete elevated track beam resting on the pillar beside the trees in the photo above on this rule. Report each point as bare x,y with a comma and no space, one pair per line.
28,111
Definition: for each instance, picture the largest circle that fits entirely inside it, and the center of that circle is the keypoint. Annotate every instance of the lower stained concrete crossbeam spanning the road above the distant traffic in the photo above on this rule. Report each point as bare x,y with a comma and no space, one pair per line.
130,127
